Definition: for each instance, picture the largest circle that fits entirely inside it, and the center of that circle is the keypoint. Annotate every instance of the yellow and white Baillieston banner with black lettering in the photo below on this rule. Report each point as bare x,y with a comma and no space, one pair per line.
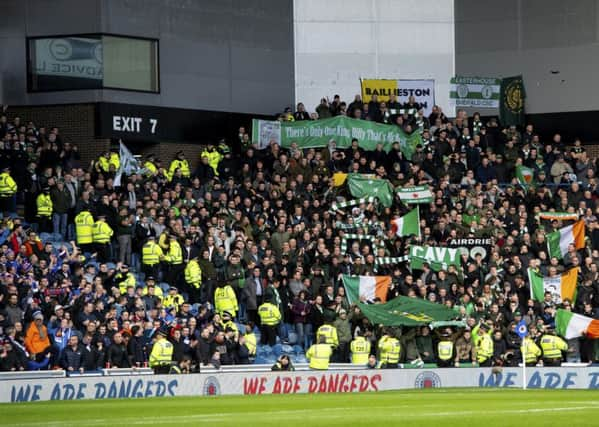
422,90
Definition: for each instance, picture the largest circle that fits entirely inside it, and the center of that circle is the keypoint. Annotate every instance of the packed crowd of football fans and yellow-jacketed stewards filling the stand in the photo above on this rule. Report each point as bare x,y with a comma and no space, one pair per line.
227,256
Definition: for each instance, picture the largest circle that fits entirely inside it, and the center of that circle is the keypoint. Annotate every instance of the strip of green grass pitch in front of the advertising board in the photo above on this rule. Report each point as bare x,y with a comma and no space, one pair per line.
443,407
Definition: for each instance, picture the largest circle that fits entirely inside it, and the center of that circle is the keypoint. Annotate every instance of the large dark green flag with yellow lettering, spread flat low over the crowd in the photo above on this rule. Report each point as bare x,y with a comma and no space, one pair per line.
404,311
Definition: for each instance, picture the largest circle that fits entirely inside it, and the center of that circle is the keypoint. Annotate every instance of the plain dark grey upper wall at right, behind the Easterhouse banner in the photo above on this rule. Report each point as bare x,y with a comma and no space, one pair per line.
535,38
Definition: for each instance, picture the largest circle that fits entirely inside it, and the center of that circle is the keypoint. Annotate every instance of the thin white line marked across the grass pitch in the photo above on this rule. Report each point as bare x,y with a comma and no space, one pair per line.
185,419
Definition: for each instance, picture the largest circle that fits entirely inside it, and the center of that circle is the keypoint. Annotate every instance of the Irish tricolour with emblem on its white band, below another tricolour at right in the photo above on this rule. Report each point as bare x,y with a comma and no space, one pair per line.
562,286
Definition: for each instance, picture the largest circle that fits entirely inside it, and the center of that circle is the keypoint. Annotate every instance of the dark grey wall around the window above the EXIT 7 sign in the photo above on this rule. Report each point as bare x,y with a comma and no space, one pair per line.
226,55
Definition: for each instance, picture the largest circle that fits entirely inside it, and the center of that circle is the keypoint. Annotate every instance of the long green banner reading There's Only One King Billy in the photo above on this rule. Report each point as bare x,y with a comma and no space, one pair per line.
318,133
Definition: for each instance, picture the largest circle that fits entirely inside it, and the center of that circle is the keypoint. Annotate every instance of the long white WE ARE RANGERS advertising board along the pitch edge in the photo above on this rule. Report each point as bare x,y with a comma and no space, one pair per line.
254,383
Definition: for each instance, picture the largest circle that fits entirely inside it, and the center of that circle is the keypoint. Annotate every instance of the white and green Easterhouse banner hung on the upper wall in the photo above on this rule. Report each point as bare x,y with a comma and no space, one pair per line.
475,92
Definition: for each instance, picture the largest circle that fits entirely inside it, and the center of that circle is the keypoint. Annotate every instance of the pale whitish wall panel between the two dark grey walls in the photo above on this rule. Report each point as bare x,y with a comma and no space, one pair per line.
337,42
